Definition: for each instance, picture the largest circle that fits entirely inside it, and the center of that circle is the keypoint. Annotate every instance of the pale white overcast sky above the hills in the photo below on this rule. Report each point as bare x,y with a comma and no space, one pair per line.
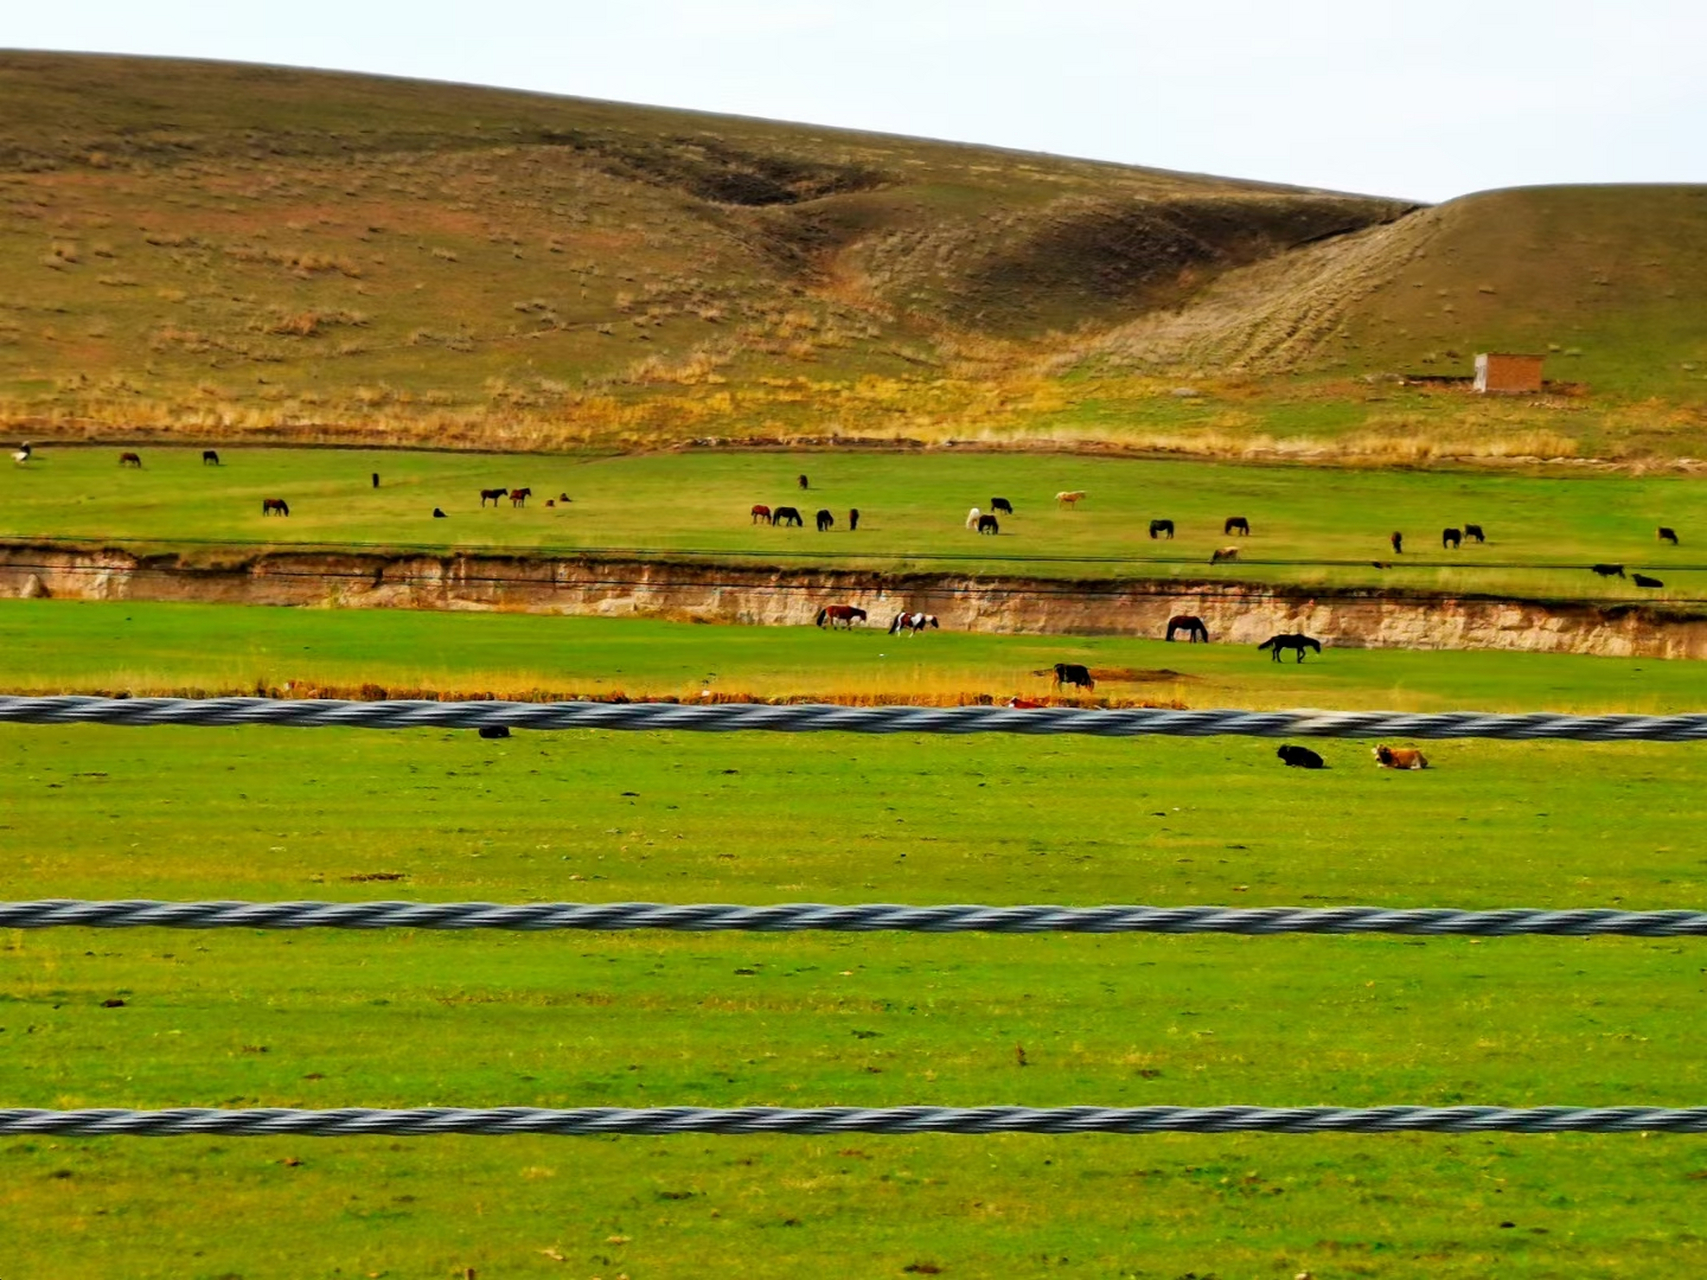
1407,100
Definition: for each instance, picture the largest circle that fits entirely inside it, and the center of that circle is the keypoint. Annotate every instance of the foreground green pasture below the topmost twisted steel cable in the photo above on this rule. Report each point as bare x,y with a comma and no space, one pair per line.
414,1018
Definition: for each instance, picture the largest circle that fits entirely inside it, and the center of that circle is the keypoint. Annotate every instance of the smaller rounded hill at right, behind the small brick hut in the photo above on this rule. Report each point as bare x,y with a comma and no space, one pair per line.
1611,282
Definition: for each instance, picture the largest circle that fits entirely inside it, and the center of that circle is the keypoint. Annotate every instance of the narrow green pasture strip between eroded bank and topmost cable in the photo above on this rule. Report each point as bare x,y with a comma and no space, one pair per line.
206,649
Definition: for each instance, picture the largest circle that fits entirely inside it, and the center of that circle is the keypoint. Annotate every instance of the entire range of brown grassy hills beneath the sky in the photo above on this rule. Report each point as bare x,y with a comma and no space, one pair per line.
230,250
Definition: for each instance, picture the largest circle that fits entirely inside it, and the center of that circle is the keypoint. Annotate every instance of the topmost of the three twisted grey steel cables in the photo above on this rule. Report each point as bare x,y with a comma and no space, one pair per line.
824,718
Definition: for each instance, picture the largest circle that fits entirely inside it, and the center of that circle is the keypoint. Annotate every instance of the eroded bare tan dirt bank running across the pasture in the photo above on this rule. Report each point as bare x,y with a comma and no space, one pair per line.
1360,619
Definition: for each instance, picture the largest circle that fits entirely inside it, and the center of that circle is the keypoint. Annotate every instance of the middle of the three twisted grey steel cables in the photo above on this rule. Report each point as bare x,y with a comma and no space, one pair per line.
856,919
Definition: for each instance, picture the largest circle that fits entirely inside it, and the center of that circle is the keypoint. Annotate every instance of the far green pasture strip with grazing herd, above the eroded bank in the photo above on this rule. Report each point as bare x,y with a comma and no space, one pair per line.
1542,530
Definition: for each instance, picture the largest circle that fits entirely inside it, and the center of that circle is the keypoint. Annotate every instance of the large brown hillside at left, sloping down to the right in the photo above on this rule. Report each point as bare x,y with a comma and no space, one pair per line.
279,247
